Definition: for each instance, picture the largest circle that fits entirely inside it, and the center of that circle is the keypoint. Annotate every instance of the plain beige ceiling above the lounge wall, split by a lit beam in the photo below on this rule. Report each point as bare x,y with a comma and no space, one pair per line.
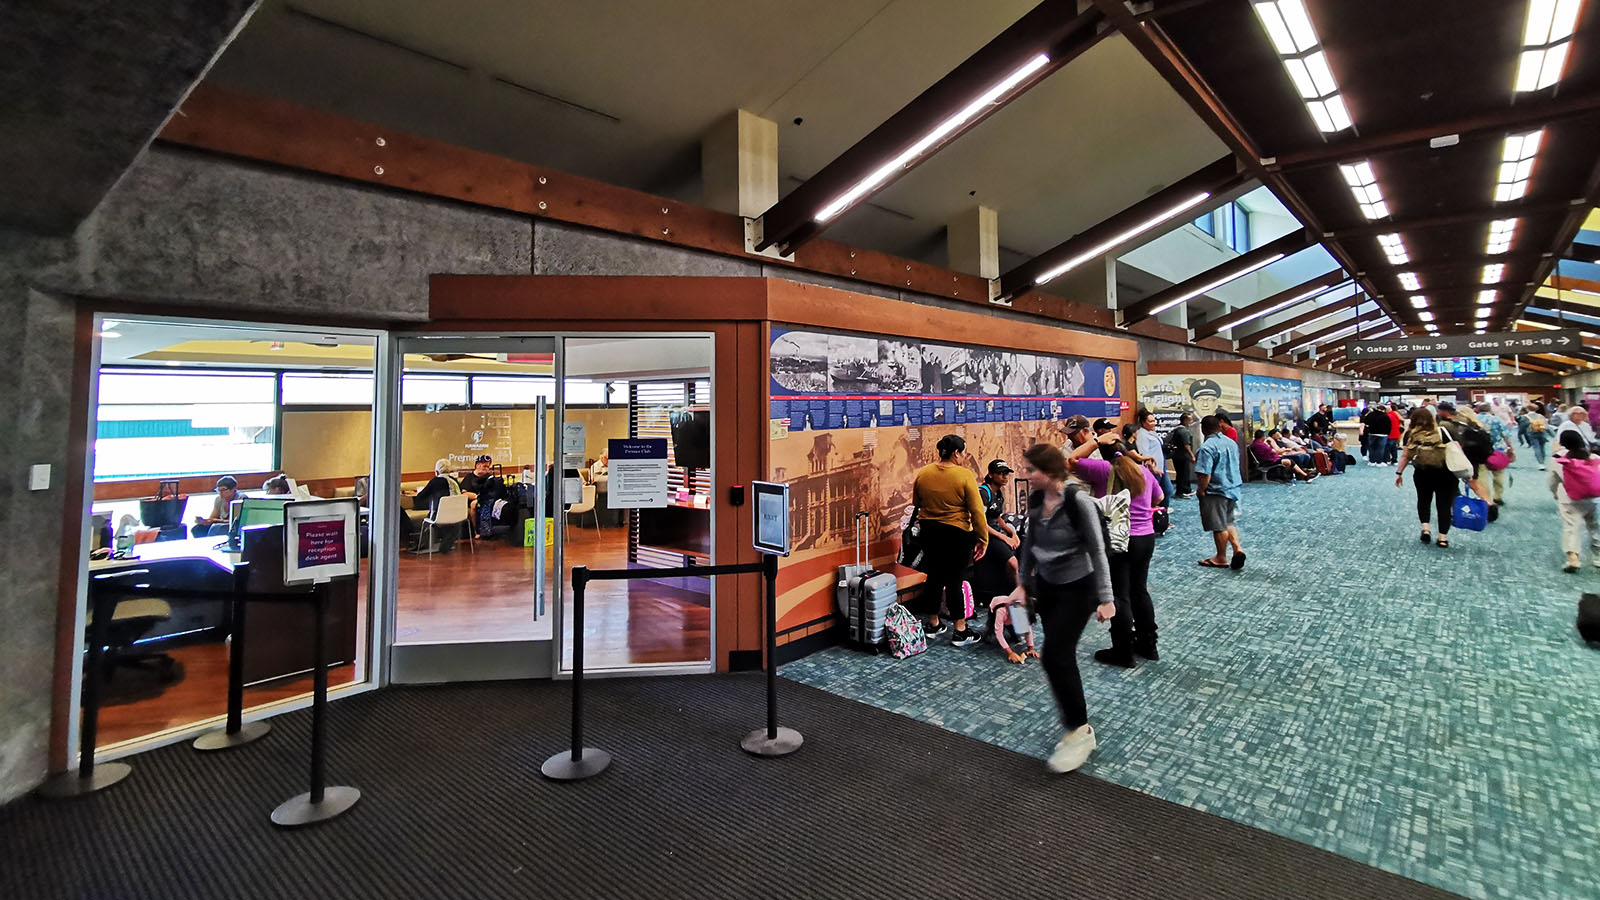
623,92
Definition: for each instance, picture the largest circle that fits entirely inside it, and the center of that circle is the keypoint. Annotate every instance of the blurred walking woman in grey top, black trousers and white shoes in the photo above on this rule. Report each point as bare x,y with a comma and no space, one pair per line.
1065,568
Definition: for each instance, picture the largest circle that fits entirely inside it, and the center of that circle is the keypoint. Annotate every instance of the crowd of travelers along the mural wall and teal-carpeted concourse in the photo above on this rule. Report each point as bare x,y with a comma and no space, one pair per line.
1097,505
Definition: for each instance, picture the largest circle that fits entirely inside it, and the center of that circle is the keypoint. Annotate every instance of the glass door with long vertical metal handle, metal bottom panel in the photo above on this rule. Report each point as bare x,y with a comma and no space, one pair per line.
478,540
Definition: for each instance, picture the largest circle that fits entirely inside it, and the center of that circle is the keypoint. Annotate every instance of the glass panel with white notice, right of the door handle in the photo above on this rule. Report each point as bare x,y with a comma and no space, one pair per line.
649,395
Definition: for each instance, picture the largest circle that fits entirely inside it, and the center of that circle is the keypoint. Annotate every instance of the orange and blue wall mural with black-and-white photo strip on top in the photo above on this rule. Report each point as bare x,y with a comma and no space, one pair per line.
855,417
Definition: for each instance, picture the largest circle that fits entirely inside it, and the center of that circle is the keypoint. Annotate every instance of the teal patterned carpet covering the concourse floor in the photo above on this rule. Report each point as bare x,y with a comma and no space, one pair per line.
1430,712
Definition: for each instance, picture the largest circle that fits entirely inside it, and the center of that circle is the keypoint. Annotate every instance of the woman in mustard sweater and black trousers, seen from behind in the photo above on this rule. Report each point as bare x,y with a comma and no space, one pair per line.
954,534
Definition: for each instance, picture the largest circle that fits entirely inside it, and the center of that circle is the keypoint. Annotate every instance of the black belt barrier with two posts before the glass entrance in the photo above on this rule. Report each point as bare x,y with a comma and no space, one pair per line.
585,761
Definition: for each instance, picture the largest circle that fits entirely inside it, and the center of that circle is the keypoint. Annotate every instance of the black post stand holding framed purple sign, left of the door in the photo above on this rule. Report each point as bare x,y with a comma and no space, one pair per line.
321,545
